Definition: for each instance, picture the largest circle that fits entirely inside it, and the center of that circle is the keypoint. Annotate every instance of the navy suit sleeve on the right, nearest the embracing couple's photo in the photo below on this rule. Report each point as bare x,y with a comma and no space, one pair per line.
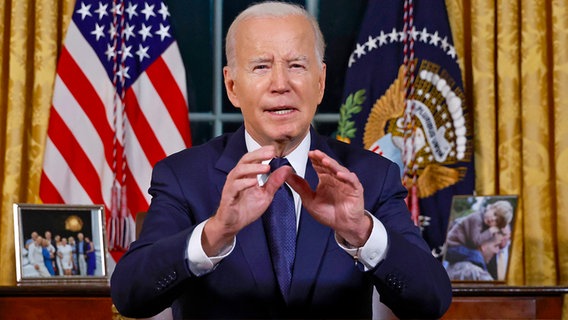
410,280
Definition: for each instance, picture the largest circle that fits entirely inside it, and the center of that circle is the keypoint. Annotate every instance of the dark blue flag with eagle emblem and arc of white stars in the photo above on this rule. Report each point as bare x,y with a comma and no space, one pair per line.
404,99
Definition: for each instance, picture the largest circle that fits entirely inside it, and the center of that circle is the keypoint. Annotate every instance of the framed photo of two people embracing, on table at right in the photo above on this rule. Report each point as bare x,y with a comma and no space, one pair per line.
479,239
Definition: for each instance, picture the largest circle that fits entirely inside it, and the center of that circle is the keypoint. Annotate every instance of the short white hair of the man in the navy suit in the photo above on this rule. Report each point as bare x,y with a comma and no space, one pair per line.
273,9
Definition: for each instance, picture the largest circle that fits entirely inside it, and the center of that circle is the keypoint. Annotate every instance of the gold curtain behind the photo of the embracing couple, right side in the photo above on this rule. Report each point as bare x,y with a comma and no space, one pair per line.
515,62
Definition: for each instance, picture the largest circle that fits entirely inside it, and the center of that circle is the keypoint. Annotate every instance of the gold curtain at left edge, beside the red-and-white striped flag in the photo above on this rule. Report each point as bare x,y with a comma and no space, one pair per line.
31,36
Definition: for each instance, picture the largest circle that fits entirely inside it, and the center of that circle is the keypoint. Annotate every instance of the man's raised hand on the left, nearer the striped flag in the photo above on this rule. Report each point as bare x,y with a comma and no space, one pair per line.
243,200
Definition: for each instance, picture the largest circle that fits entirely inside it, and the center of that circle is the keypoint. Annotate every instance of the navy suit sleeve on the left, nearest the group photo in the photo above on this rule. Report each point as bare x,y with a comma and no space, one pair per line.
148,278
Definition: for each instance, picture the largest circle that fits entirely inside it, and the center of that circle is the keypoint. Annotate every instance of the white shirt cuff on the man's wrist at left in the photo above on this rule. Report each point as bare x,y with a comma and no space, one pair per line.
199,262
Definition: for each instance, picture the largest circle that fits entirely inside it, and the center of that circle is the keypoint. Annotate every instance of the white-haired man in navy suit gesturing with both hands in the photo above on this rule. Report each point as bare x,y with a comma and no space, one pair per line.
227,236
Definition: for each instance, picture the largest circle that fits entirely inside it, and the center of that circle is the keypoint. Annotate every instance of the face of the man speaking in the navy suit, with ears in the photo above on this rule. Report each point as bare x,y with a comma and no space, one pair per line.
277,81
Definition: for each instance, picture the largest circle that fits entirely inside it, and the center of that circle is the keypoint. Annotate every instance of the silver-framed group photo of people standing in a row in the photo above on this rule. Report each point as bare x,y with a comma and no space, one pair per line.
59,243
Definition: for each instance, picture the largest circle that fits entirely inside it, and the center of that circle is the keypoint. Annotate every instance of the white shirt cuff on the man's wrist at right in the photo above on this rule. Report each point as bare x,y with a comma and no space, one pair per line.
374,250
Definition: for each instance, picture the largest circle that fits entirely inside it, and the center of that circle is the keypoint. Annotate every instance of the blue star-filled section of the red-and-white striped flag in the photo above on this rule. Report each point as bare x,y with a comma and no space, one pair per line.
127,36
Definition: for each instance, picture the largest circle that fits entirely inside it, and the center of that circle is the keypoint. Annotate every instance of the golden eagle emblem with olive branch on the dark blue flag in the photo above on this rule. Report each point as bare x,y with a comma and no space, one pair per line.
438,140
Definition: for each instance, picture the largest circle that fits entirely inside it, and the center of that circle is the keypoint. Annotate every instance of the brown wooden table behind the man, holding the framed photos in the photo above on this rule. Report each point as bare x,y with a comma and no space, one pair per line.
469,302
